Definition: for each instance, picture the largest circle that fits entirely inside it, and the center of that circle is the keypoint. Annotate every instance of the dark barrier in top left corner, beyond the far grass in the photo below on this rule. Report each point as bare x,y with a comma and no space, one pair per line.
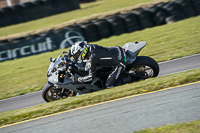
32,10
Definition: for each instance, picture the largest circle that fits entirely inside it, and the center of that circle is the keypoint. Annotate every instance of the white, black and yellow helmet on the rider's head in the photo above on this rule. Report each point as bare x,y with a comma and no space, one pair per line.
79,50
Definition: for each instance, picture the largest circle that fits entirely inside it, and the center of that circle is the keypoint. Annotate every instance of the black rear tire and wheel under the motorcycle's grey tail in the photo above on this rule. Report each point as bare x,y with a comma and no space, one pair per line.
143,63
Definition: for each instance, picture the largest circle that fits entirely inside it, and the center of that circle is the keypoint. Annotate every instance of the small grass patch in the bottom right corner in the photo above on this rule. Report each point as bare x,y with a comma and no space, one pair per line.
190,127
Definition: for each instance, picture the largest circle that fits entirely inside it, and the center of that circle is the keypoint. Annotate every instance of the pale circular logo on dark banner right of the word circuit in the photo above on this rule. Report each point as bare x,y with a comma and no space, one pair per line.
69,39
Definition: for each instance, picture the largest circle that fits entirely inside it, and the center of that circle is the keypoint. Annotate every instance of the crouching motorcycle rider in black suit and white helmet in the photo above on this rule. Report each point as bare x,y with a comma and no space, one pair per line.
99,56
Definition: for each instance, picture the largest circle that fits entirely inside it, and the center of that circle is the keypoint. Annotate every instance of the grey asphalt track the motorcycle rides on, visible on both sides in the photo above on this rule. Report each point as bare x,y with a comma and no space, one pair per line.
166,68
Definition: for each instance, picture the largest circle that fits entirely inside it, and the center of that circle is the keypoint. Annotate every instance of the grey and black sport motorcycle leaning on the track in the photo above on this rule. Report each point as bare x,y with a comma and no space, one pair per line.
63,69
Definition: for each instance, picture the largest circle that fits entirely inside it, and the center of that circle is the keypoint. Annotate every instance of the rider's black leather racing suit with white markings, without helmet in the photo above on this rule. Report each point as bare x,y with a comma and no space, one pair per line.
105,56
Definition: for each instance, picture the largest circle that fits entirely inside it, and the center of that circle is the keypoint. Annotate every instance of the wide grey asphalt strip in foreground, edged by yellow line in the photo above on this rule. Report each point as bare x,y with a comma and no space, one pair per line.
169,106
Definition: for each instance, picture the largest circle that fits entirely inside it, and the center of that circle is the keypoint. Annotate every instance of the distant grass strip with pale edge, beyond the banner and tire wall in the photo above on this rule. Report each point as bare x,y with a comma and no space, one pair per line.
88,11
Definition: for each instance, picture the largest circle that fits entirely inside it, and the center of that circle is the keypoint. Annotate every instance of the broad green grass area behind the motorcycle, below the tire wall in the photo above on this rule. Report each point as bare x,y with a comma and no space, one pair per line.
165,42
